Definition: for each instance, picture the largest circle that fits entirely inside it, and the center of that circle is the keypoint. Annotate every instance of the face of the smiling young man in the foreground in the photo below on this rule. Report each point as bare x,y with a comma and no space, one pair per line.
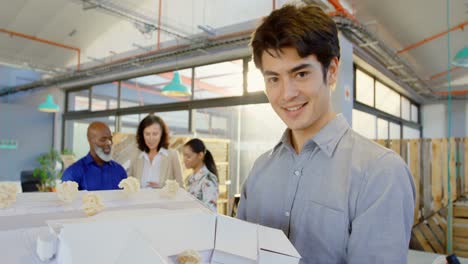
296,89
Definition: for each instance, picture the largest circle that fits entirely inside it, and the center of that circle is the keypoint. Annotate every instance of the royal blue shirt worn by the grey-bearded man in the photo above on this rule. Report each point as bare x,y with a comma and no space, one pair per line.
90,176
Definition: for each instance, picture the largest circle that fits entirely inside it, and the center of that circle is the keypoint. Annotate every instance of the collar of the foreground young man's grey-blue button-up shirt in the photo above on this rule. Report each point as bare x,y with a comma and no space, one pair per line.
326,139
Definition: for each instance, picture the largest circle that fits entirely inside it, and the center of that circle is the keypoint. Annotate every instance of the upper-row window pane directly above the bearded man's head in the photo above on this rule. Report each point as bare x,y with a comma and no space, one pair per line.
104,96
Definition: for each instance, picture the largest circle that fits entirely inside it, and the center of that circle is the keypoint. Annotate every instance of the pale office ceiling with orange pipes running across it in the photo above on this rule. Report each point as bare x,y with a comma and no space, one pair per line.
48,35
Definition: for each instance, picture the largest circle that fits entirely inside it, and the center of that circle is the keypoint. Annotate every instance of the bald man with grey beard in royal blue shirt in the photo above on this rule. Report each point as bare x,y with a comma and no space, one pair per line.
96,171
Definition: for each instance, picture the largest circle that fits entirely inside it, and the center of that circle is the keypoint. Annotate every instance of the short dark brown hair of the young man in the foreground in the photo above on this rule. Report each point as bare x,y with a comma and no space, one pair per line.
306,28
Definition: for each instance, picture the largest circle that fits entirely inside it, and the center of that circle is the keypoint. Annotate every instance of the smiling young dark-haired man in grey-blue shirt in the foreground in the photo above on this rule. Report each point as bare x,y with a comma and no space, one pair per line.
339,197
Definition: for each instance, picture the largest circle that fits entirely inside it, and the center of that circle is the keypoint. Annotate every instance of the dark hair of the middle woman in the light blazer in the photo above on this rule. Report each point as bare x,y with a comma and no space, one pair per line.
146,122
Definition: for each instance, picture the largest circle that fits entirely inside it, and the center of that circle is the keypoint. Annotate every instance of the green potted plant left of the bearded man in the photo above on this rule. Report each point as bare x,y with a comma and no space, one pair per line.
49,170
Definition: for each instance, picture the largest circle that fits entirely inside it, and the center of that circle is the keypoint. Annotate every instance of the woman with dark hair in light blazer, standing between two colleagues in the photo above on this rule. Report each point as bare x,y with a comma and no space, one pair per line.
155,163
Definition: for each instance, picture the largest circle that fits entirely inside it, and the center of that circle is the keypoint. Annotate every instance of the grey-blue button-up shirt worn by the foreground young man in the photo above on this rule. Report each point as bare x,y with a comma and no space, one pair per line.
343,199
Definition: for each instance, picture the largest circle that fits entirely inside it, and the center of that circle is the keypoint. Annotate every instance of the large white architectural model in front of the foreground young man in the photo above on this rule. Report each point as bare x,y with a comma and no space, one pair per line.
160,236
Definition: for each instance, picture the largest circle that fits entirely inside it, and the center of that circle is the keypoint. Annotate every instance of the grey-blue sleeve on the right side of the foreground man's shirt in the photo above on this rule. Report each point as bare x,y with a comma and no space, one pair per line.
381,226
